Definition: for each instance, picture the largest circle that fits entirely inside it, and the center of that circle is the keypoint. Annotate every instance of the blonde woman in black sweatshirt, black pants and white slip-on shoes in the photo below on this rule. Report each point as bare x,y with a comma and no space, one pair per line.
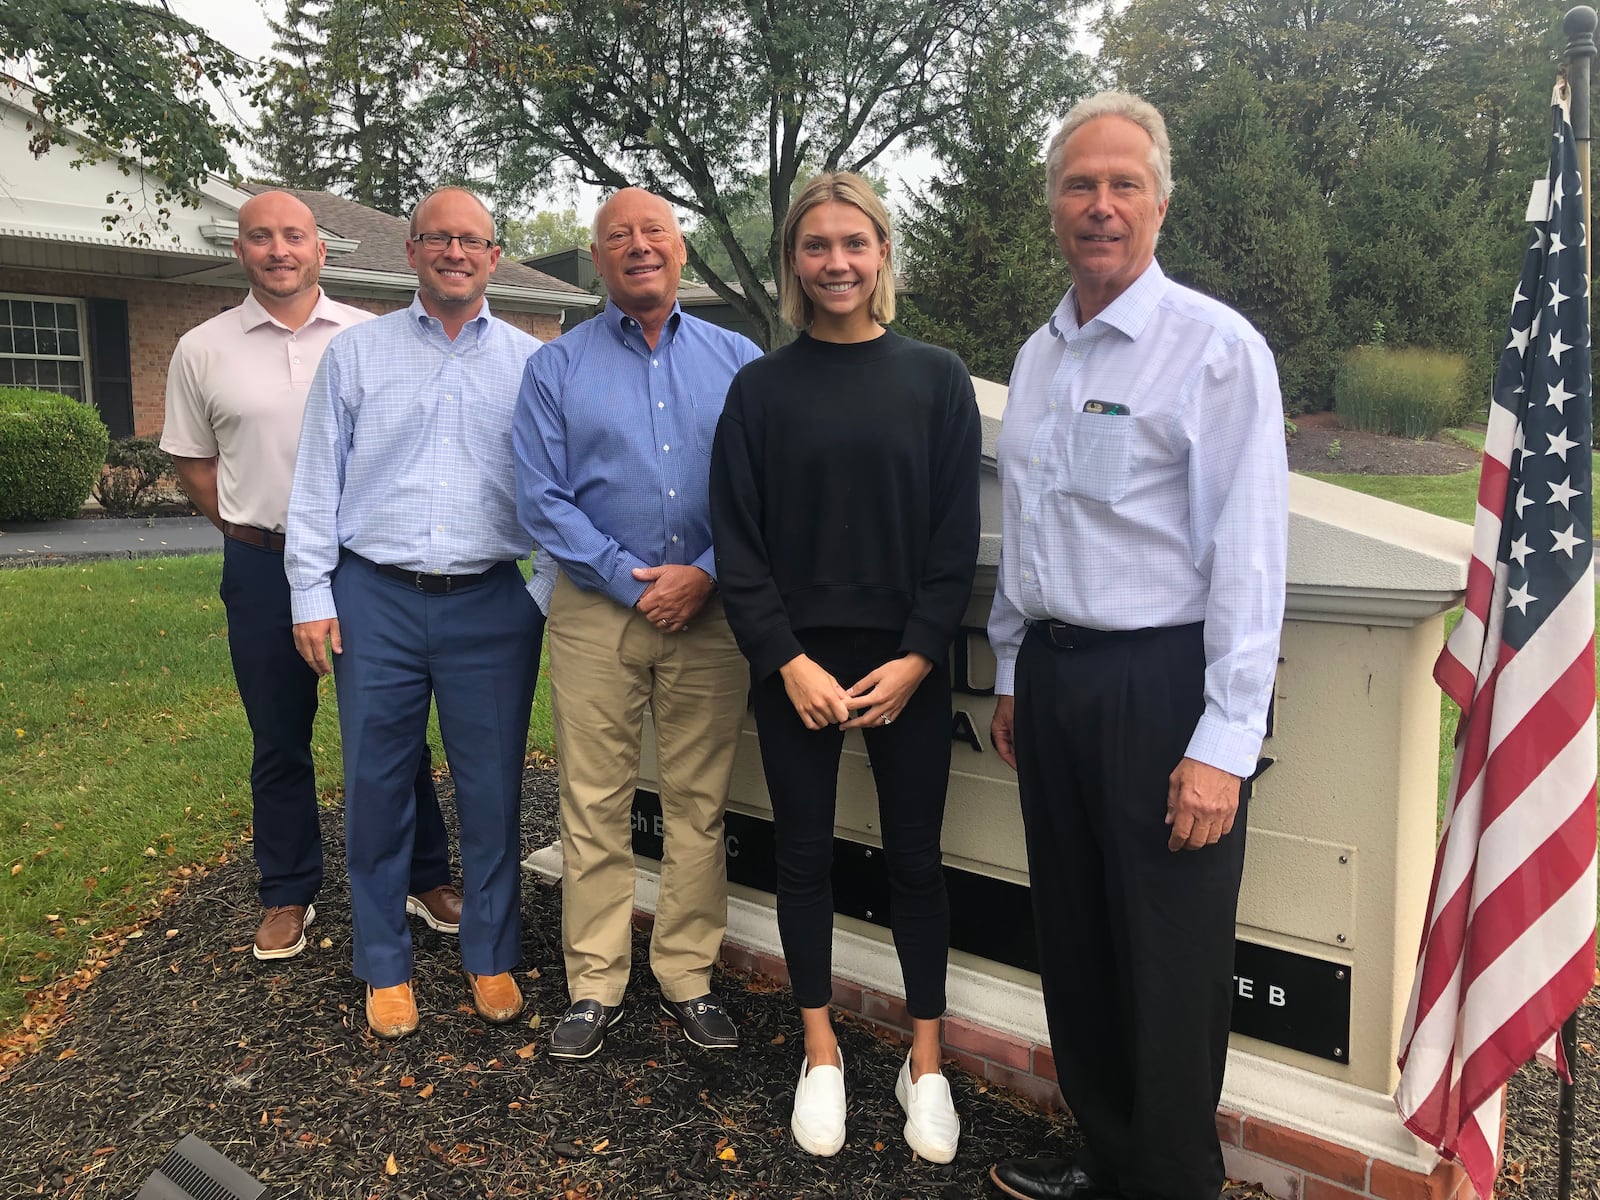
846,519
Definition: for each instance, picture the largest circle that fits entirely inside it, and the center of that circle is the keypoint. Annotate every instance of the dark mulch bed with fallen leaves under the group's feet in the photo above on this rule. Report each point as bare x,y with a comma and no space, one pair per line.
273,1065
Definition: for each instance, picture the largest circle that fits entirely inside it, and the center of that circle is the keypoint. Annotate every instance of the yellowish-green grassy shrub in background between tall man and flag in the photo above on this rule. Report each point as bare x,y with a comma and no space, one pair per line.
1406,393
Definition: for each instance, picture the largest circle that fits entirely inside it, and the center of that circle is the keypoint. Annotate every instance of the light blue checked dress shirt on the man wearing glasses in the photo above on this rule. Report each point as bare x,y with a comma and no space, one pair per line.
406,454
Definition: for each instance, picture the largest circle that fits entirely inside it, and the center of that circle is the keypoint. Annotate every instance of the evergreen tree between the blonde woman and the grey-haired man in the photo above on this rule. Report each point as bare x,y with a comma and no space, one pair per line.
977,249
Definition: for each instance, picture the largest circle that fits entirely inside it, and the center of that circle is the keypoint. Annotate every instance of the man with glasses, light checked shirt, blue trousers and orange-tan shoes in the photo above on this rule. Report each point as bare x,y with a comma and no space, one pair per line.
402,546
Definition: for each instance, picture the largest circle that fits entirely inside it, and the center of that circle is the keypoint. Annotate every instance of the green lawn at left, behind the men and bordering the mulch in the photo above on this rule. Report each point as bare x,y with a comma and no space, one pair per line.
124,753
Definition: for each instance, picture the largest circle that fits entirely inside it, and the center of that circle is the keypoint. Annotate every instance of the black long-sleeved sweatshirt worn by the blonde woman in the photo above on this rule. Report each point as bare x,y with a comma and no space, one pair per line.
844,494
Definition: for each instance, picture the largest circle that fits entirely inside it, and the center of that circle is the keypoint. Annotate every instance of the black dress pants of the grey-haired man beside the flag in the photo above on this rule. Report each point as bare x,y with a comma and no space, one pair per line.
1135,940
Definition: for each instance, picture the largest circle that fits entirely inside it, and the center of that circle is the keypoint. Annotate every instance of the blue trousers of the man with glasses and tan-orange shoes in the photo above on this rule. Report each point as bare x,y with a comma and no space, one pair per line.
476,652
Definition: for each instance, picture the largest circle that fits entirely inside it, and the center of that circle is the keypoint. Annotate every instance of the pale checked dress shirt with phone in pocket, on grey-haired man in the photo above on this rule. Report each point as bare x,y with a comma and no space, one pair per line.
1170,514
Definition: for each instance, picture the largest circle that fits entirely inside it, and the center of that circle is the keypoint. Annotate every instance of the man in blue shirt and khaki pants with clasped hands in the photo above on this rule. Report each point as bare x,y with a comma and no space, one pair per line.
614,439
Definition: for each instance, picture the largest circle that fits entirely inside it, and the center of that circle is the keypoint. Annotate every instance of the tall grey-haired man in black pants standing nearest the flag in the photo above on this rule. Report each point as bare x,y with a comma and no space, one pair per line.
1137,633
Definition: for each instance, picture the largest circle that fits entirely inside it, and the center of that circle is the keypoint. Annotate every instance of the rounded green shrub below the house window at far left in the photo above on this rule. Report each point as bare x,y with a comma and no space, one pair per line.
52,449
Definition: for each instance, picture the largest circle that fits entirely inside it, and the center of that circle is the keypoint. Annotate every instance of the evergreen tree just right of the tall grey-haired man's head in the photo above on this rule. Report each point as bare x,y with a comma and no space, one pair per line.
1247,226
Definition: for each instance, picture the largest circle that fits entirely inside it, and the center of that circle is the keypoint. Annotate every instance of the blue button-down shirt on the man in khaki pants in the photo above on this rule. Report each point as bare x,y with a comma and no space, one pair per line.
614,447
